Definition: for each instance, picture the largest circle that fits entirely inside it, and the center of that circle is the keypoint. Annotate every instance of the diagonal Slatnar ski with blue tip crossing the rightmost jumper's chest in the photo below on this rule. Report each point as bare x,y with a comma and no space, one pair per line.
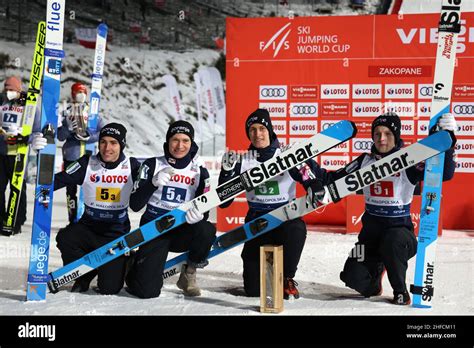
345,186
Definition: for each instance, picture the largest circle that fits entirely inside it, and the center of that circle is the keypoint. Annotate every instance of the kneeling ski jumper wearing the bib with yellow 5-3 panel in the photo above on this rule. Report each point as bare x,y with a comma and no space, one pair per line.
107,181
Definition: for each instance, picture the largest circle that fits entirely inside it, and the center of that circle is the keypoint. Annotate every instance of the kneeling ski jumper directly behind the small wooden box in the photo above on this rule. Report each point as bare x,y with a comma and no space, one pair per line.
267,197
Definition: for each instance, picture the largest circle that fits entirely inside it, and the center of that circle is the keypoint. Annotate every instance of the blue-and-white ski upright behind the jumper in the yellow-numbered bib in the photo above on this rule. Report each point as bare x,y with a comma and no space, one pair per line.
96,88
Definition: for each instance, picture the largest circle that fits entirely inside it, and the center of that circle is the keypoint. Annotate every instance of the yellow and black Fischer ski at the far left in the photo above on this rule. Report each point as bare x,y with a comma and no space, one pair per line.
29,113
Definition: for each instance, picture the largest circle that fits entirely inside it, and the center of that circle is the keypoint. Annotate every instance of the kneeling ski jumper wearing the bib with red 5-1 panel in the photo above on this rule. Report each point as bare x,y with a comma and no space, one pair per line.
387,240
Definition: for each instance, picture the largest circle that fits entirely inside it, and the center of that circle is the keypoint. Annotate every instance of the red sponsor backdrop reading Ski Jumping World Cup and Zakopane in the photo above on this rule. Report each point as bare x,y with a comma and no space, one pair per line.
312,72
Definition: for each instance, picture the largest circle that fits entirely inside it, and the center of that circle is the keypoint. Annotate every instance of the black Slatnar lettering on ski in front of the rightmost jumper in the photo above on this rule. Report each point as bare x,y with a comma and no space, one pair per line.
374,173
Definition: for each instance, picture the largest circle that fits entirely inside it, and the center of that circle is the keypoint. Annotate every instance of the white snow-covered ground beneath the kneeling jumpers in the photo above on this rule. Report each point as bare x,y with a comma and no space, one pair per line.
322,293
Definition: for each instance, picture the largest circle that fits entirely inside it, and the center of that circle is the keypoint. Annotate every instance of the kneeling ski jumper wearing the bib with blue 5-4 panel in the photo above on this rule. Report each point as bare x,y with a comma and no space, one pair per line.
165,183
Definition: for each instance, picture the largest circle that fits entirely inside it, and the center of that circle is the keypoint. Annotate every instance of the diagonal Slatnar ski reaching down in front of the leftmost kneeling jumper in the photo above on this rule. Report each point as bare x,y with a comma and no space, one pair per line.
291,157
